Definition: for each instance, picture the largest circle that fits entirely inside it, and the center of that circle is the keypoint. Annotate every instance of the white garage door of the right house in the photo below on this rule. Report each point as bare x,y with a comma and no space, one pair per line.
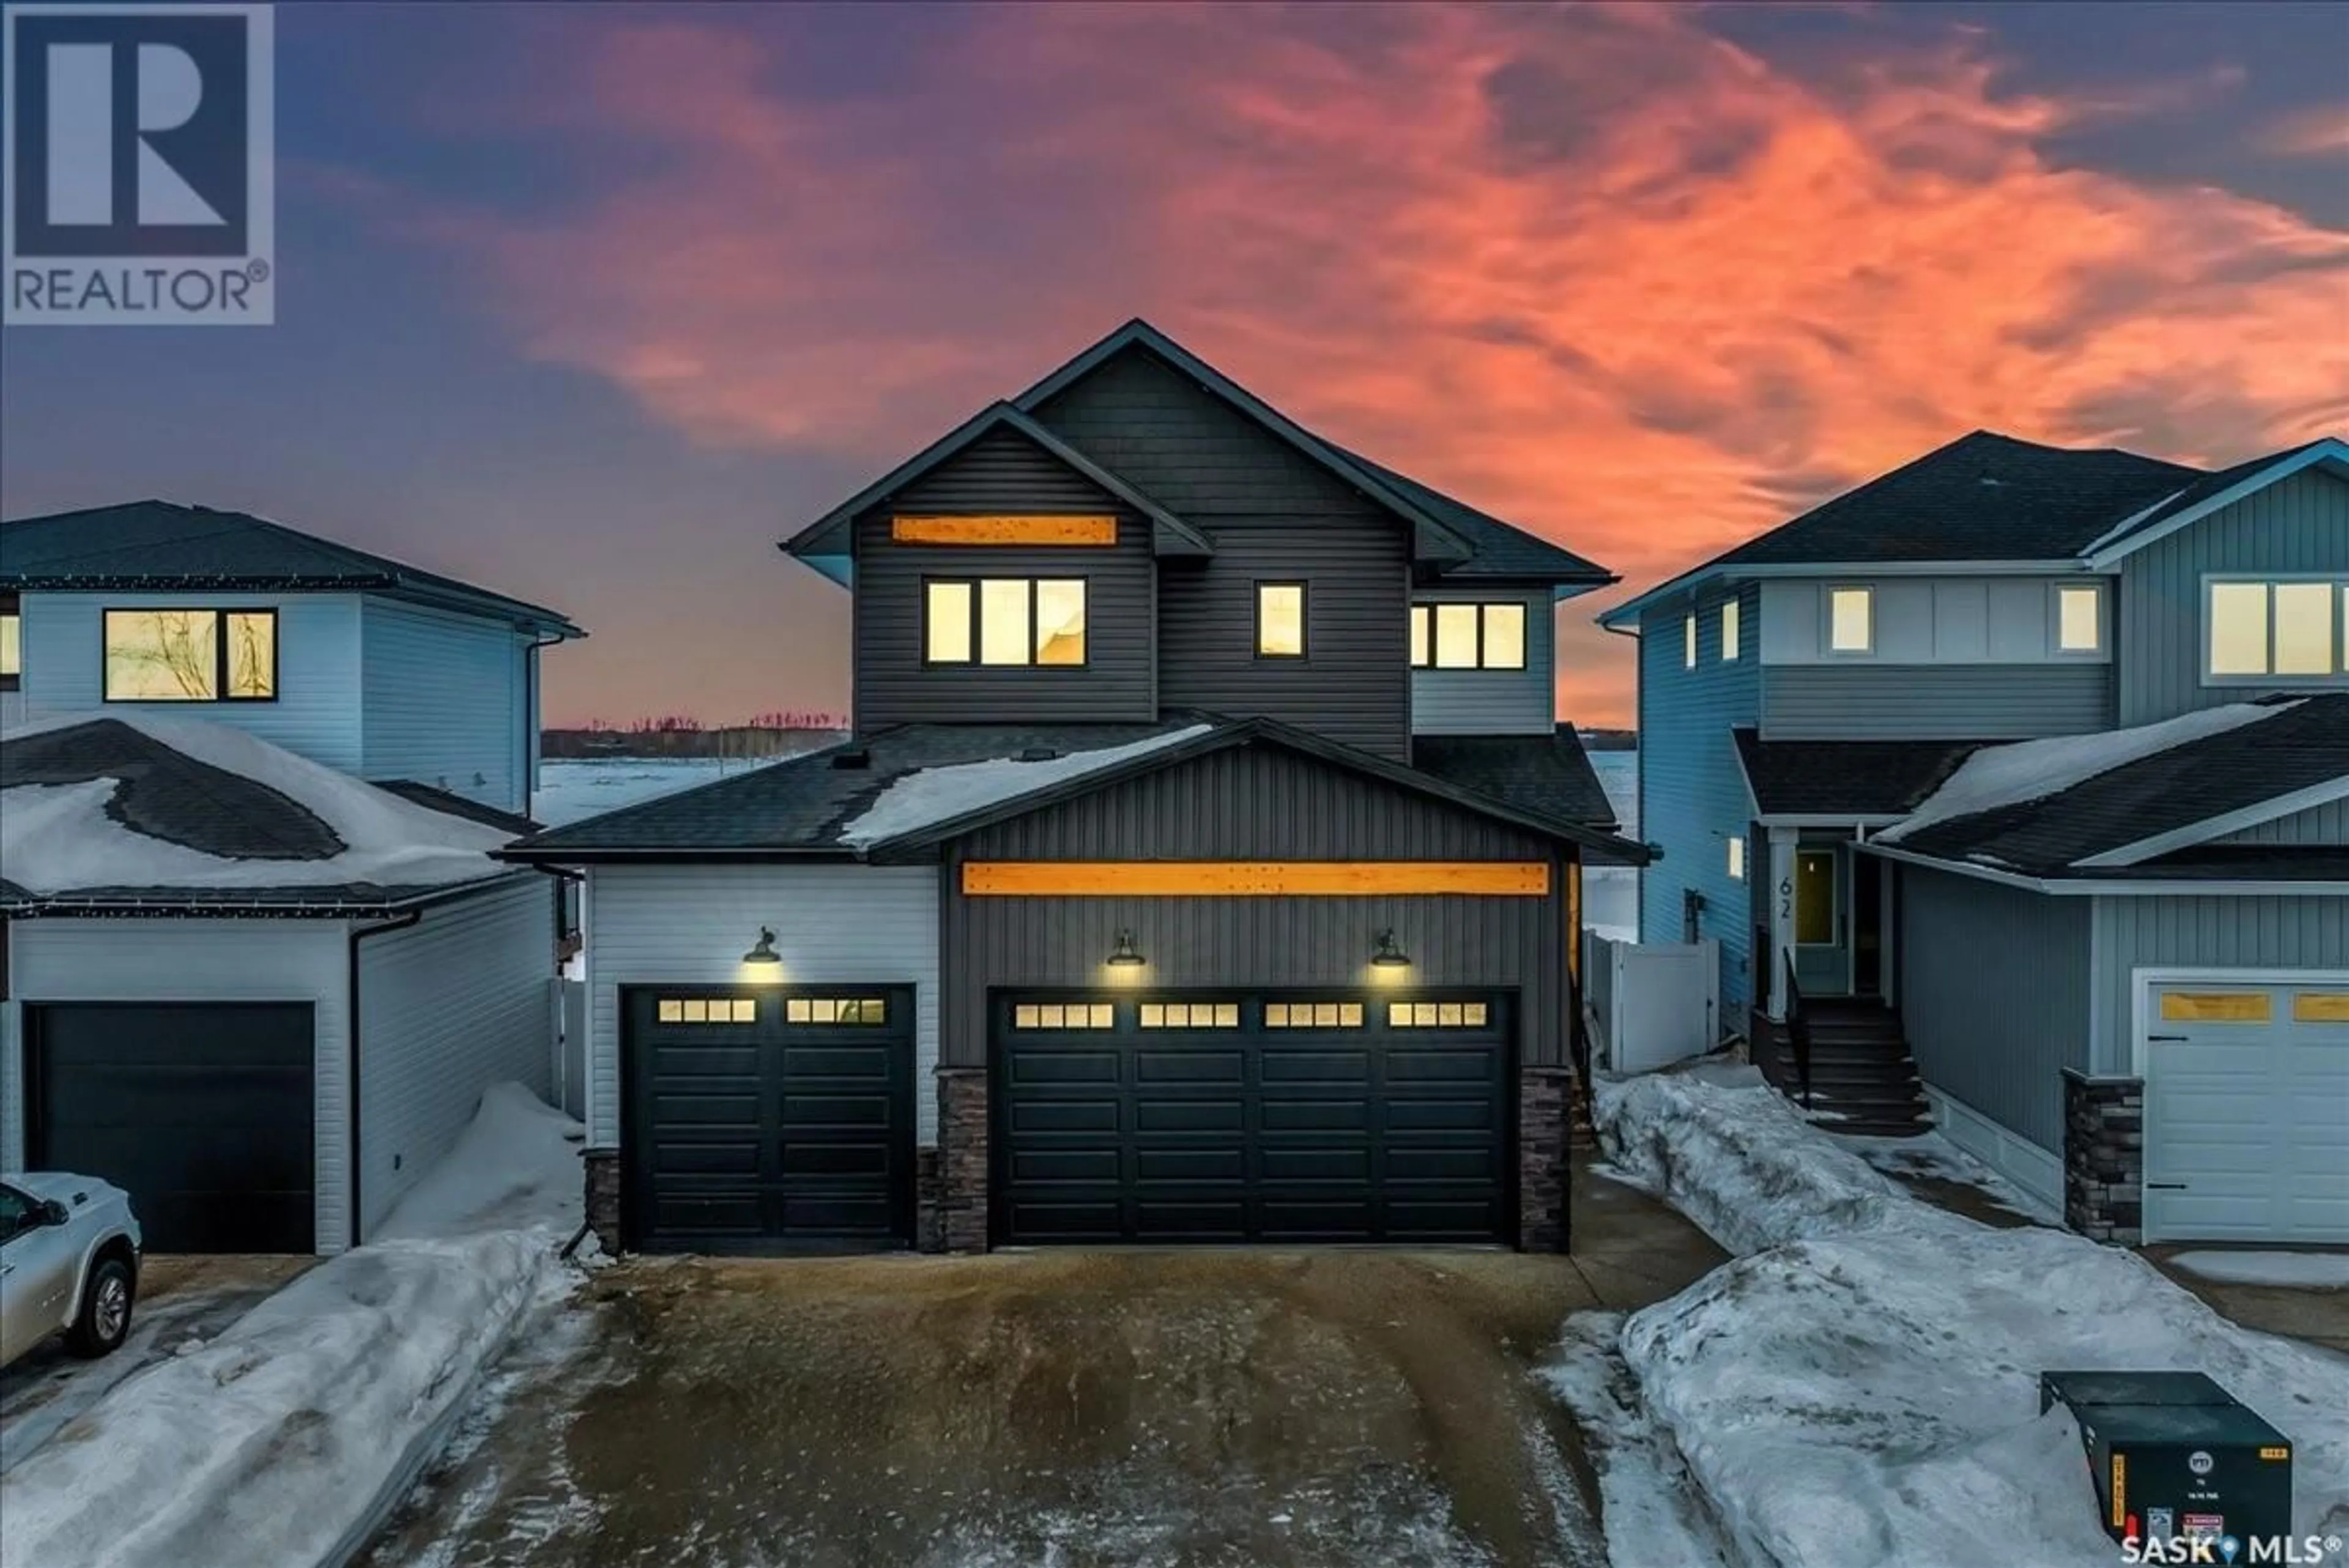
2247,1113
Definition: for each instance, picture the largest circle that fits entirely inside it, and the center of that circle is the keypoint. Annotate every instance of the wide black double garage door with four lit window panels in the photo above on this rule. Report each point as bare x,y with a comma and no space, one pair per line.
1253,1118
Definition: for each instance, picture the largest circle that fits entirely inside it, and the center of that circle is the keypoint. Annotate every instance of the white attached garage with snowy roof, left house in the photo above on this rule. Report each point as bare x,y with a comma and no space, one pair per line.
253,991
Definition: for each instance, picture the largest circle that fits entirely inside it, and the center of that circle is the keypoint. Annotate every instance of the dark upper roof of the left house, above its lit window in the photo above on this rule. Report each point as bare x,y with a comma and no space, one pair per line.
163,547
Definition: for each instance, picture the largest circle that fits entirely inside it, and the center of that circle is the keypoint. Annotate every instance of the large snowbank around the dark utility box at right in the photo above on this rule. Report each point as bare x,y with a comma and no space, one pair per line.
1862,1383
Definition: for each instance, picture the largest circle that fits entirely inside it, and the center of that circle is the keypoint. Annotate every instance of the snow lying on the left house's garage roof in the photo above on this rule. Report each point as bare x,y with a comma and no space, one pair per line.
62,840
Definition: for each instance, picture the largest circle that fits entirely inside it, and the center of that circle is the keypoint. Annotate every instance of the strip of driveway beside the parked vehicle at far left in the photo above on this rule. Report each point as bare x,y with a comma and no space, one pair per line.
180,1301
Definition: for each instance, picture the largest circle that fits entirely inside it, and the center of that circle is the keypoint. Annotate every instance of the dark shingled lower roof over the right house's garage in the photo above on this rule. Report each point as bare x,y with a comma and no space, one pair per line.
2306,744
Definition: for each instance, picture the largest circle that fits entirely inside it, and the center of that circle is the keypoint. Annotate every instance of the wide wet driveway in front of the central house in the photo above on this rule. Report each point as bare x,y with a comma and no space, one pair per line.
1129,1407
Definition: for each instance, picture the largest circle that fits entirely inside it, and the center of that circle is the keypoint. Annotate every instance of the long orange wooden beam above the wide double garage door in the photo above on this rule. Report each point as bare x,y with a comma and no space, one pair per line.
1253,878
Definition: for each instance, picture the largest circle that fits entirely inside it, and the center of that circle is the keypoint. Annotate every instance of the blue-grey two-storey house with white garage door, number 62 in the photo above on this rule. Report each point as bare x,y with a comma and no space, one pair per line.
2017,793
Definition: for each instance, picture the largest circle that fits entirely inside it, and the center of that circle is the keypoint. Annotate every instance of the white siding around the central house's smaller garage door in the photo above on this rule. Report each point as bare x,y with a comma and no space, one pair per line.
692,925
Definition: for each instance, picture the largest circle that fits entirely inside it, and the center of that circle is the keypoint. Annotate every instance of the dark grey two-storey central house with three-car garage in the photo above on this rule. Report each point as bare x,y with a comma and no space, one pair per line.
1204,864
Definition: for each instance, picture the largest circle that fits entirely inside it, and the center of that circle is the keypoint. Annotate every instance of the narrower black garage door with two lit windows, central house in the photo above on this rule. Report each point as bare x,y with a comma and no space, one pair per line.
769,1118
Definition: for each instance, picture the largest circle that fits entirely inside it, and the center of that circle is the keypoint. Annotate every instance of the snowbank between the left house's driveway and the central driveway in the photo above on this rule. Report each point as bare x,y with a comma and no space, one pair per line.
278,1442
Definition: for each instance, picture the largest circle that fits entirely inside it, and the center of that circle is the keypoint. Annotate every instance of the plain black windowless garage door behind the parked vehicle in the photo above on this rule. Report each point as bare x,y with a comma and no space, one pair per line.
201,1111
